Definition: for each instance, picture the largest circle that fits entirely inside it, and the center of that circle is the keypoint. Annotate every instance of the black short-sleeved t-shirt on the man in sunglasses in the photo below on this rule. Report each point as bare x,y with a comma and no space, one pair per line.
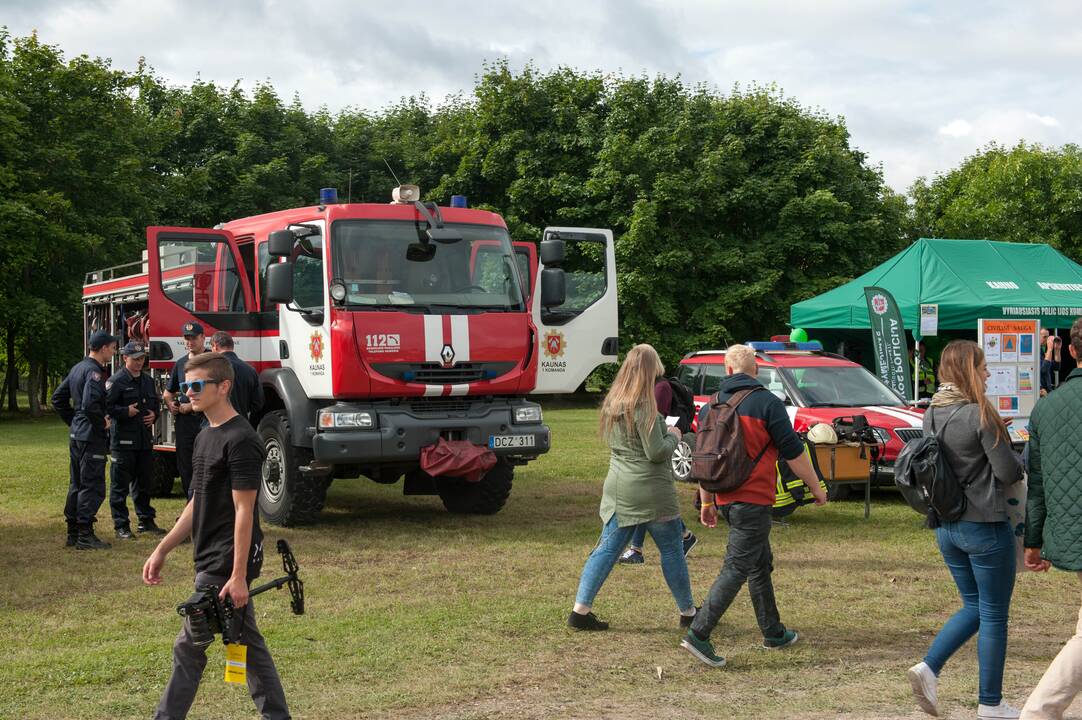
227,459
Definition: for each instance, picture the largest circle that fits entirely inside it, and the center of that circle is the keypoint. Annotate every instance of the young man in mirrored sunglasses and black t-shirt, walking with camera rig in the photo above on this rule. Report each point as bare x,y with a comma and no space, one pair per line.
222,519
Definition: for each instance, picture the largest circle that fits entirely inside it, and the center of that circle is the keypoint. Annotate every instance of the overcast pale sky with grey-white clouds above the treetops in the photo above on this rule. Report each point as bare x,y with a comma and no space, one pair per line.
921,85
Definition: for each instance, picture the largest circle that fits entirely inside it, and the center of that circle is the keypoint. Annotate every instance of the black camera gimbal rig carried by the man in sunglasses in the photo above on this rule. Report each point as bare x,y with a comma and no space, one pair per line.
208,616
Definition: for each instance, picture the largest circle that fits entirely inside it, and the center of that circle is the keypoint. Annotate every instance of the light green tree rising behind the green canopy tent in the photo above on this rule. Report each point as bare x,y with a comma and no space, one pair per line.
1020,194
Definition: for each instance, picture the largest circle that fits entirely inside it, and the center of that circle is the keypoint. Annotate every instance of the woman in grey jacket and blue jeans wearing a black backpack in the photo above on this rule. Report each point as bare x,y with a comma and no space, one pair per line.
979,547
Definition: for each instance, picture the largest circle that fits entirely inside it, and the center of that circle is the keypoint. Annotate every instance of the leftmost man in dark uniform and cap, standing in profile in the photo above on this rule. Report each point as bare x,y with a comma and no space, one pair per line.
81,402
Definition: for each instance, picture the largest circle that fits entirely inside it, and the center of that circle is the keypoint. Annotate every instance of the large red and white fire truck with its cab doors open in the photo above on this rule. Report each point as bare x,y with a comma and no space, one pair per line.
377,330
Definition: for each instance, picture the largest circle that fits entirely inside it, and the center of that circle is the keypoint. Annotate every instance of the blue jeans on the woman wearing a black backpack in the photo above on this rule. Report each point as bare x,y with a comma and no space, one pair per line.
982,560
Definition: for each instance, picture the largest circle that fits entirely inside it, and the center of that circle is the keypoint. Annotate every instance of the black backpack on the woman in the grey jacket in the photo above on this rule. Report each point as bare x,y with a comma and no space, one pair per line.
927,480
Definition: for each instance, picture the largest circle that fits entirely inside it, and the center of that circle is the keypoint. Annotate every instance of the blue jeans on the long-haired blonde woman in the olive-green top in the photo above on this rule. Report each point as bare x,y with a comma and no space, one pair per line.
667,535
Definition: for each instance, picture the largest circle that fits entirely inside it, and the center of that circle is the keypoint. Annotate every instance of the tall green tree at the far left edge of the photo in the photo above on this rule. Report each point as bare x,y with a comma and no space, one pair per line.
73,174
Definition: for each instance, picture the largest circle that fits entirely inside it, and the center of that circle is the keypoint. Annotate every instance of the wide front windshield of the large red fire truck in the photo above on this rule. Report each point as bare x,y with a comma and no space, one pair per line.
372,258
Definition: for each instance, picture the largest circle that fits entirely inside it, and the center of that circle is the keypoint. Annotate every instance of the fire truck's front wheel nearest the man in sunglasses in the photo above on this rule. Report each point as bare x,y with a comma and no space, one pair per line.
288,496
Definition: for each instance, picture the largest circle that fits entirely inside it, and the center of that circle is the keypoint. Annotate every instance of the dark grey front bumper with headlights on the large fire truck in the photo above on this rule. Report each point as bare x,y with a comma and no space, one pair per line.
397,433
